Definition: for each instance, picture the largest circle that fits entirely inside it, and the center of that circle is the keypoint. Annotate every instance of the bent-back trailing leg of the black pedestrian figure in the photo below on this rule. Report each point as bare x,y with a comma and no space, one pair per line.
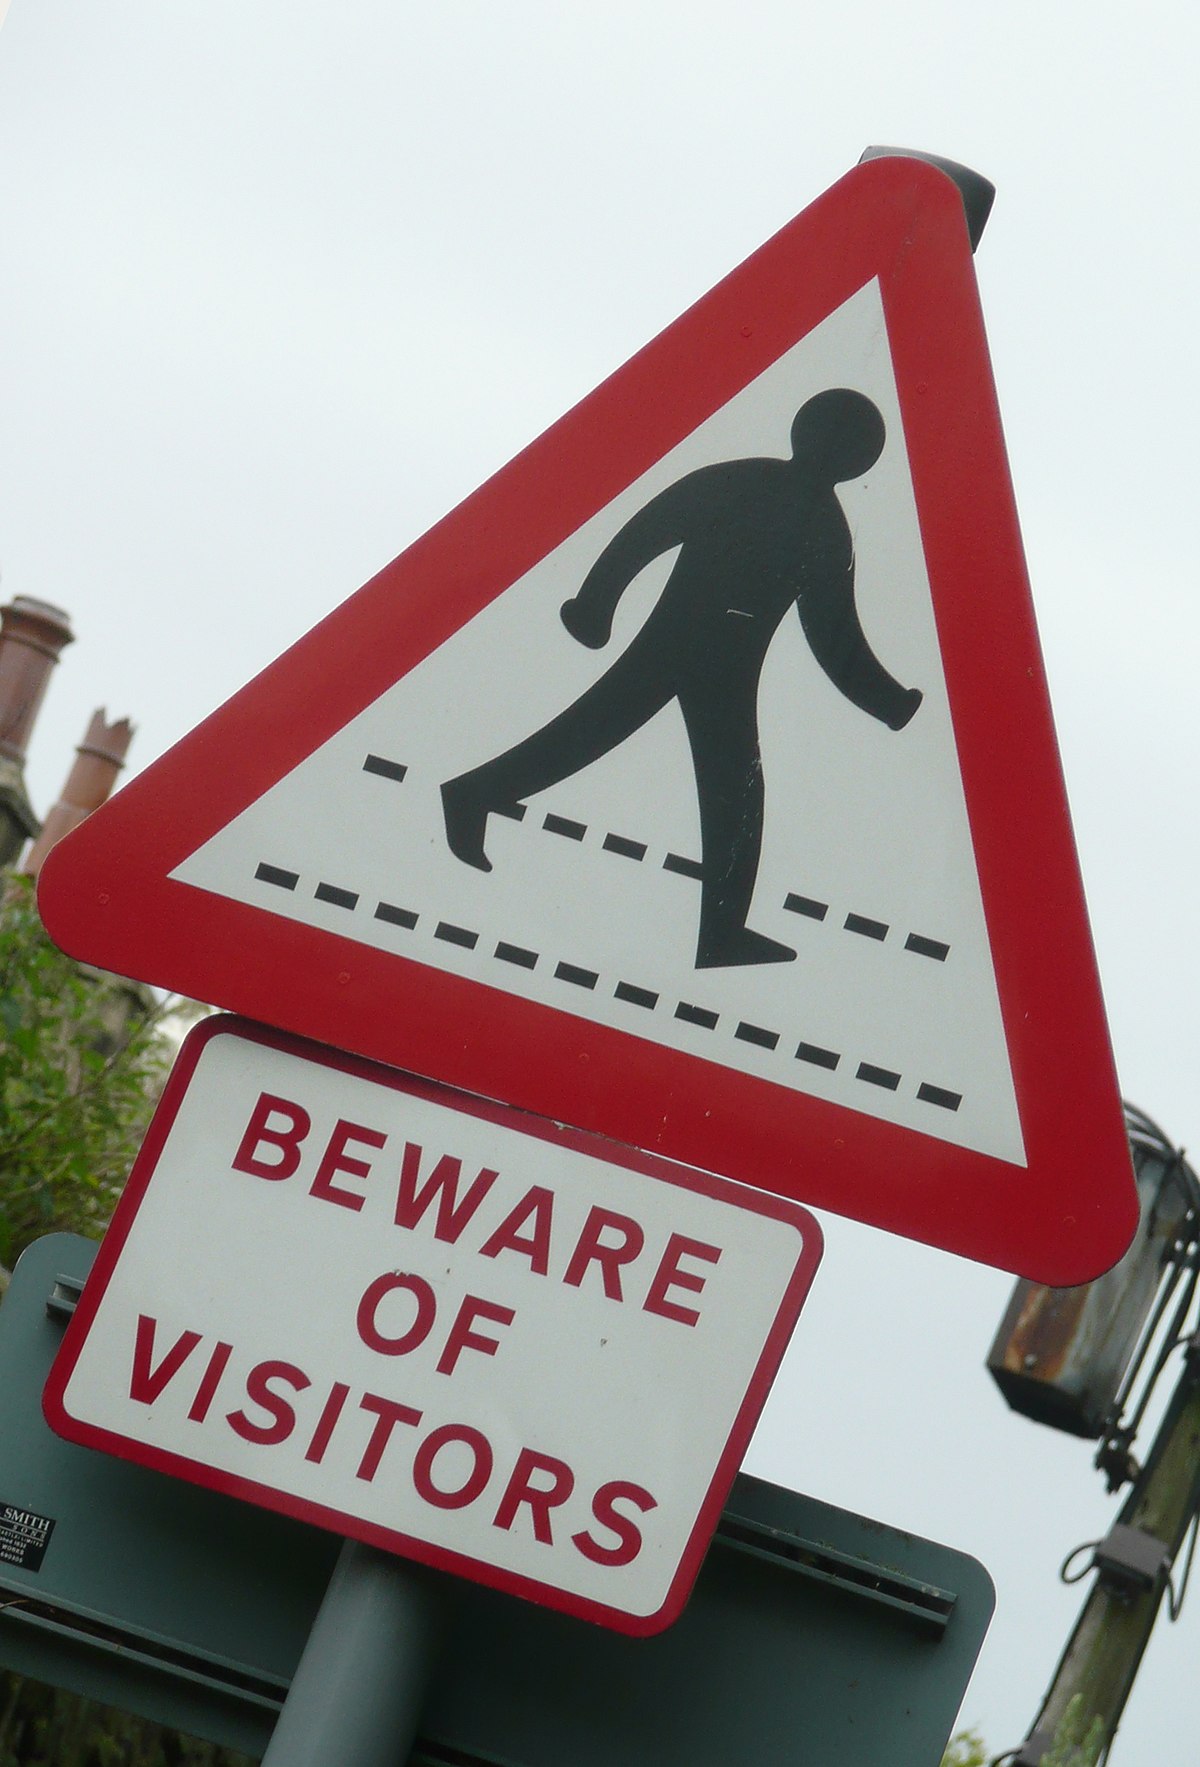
625,699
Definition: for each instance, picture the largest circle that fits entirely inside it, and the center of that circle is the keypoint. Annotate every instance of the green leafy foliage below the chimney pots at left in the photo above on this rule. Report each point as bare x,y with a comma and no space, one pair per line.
79,1079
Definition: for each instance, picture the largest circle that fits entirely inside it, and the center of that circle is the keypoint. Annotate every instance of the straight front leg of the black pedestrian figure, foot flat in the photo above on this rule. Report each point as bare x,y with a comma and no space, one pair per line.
731,796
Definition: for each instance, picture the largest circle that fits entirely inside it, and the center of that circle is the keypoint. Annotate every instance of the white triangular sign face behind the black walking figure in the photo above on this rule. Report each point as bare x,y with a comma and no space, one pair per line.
586,891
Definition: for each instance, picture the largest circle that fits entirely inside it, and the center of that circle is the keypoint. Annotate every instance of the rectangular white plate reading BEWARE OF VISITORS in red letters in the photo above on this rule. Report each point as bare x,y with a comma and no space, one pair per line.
471,1337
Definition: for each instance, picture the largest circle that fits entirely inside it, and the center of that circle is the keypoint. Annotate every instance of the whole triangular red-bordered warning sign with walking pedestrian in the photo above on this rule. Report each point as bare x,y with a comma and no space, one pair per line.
694,782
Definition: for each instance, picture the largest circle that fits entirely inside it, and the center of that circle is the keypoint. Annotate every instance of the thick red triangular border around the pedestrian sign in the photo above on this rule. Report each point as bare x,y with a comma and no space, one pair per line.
109,899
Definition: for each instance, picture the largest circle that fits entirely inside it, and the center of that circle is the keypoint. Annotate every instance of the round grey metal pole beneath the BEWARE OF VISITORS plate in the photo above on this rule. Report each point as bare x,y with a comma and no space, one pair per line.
361,1681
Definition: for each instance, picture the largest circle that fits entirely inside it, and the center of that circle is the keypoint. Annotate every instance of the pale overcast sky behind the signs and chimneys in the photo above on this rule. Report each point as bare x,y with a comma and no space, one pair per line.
284,284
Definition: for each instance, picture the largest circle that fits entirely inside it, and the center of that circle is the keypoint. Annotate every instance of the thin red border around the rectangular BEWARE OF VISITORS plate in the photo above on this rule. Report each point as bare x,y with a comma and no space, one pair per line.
107,1270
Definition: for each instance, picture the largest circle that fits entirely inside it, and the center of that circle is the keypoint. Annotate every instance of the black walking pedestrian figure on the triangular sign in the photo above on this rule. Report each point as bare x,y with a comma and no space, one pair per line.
754,536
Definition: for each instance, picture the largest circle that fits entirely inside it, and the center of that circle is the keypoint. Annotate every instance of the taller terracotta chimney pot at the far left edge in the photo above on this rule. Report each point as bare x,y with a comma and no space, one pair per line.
33,635
